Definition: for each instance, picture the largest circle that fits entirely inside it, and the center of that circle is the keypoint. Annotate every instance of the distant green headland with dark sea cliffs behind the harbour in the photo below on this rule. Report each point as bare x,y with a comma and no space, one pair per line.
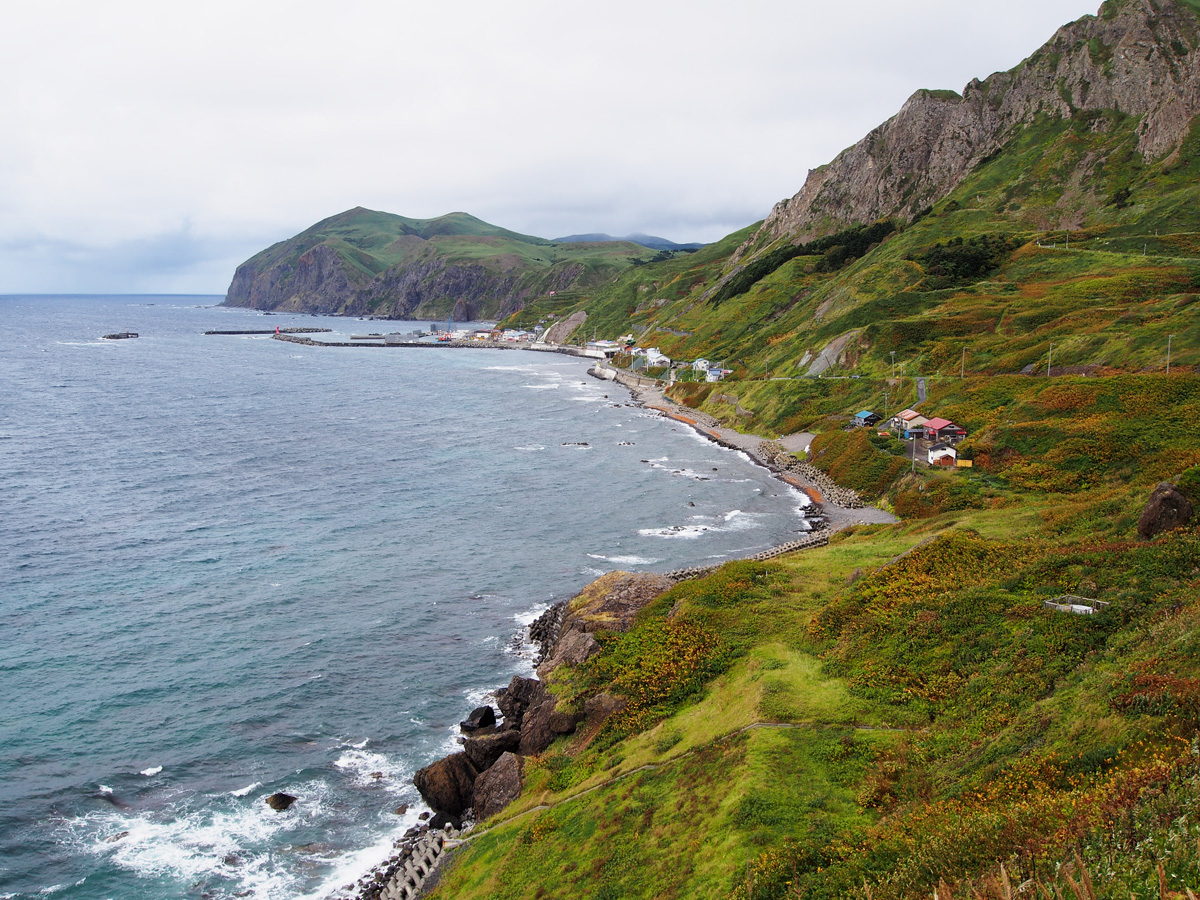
369,263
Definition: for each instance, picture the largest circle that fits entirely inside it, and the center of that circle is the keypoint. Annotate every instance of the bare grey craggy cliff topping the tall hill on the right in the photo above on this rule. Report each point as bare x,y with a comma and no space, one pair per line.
1137,57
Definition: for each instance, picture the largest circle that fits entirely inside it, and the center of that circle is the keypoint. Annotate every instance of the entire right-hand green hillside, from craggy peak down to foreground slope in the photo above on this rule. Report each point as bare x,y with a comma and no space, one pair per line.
908,713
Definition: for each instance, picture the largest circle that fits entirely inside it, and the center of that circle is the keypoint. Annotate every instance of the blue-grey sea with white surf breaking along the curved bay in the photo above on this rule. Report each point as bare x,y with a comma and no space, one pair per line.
233,566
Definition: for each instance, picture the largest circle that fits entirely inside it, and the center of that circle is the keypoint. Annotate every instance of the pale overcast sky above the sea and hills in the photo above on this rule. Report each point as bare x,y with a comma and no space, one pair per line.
152,147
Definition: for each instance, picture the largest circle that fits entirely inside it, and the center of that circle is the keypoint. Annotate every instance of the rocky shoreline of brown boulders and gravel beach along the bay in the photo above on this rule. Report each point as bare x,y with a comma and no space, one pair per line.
488,773
